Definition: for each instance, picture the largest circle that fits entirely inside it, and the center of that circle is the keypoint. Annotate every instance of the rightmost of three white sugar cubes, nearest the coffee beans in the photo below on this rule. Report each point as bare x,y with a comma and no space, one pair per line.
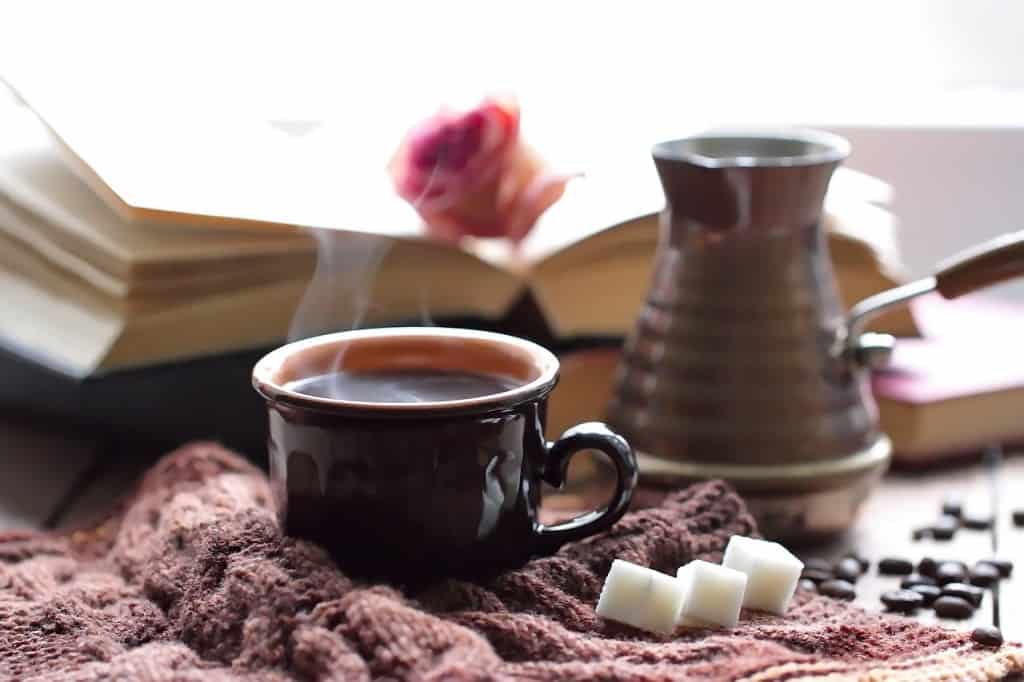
773,573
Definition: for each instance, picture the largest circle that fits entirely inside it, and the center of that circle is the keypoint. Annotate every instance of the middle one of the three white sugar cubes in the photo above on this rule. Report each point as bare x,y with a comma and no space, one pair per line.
713,594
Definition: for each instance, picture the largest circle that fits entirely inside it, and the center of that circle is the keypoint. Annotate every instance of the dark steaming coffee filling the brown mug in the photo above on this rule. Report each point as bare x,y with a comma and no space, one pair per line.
403,387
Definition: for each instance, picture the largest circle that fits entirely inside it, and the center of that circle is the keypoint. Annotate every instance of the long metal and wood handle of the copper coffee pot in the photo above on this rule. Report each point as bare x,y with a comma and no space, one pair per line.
991,263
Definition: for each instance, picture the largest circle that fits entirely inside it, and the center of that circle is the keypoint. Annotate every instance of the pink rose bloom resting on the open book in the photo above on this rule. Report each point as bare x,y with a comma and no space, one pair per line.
471,175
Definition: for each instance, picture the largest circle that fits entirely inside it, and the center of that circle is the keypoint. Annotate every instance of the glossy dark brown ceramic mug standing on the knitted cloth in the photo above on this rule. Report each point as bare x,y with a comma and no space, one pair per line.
419,490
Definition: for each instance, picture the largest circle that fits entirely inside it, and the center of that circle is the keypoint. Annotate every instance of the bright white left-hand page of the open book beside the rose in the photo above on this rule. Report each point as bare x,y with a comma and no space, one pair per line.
274,172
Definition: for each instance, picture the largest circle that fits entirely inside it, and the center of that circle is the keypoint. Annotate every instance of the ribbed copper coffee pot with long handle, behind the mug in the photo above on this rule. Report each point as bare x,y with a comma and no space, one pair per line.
743,365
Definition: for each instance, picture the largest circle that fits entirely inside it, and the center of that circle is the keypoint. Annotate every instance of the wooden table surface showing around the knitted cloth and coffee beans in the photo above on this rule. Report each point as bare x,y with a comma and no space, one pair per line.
58,482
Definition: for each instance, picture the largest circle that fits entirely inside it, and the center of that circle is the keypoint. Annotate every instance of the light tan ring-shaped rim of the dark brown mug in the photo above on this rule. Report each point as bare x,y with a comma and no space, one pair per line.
544,361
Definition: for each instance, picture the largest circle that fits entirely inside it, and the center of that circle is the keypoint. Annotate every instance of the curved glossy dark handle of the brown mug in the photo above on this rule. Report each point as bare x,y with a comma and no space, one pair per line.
592,436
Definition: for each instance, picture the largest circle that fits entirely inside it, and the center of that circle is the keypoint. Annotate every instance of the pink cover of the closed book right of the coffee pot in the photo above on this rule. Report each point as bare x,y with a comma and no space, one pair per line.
970,347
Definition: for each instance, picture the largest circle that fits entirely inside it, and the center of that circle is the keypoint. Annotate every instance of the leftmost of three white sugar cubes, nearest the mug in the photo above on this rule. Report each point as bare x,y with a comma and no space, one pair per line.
641,598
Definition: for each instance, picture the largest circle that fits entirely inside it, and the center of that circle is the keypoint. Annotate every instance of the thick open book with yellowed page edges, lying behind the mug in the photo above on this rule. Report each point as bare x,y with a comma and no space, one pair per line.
103,276
